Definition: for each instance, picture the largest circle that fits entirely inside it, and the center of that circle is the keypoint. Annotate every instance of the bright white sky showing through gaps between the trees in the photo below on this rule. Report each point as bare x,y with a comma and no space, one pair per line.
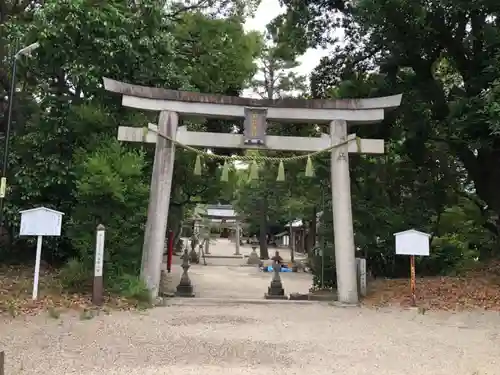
268,10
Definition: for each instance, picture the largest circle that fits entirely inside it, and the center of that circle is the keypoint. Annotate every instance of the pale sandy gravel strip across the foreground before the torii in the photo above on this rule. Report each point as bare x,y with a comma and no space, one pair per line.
202,338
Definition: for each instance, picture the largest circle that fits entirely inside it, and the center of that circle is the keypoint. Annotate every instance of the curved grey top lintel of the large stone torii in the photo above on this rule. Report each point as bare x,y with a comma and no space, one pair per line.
214,105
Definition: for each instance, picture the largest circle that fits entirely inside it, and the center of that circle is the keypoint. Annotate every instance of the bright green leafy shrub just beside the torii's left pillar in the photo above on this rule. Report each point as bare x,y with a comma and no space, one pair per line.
111,189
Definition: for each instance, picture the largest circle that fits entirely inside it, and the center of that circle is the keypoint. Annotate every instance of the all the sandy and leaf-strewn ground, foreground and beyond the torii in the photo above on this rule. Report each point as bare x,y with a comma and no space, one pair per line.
231,329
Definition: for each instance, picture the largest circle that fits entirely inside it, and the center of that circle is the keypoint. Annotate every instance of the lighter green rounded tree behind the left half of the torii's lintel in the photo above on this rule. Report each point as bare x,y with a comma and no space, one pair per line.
218,57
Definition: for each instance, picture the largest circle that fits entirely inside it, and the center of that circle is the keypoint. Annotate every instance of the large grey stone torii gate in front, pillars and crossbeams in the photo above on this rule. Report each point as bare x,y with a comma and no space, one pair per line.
171,104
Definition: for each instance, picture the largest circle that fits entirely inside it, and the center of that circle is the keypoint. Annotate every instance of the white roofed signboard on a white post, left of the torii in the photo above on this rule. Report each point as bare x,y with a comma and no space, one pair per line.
39,222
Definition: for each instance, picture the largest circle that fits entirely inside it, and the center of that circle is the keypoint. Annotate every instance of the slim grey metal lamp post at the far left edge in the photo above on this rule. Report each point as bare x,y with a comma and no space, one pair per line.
26,51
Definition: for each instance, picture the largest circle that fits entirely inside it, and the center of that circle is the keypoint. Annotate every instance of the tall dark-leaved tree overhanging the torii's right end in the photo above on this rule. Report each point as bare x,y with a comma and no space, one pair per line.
409,42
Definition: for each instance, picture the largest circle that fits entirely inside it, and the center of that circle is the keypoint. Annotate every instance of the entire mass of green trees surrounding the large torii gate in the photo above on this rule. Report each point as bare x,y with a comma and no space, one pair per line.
439,173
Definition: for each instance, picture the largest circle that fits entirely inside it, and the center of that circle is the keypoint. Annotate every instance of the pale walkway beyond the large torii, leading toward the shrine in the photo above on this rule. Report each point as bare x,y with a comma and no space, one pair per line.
231,278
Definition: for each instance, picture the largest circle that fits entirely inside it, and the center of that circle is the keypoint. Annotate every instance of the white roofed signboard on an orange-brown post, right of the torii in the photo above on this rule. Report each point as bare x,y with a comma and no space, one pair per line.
412,242
